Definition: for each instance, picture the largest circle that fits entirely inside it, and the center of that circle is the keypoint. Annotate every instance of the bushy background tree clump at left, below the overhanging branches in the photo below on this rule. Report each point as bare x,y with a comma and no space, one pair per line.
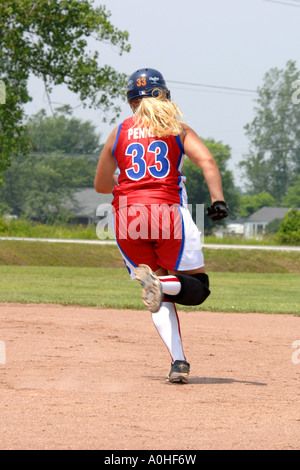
42,186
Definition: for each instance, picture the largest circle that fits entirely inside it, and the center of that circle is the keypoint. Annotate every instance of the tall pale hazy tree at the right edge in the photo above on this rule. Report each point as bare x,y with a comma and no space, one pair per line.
274,134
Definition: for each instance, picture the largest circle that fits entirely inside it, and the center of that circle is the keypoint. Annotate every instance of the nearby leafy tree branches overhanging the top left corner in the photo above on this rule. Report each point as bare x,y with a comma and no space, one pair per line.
49,39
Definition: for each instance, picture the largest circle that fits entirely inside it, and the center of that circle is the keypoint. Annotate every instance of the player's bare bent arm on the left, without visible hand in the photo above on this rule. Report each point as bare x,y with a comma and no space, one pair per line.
105,180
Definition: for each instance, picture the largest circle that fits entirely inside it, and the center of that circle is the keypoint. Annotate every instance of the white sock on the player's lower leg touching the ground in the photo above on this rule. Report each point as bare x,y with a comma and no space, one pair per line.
167,324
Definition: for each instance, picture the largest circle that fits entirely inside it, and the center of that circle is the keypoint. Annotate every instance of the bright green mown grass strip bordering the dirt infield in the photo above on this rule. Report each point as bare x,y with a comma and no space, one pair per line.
112,288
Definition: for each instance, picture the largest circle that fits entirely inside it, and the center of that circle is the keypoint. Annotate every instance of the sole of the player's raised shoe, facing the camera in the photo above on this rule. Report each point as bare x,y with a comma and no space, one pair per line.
152,290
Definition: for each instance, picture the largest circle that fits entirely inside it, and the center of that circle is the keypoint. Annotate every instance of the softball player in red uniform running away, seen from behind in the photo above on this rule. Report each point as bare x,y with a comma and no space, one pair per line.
158,240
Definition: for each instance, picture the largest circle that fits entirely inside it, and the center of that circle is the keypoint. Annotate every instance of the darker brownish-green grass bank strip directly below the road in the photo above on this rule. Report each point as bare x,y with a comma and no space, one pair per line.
23,253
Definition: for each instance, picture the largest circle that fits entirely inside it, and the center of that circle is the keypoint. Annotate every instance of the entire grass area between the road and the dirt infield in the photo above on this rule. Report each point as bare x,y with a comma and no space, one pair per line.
94,275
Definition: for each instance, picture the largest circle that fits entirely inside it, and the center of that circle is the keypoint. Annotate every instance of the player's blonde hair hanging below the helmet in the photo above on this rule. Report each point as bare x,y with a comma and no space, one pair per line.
159,115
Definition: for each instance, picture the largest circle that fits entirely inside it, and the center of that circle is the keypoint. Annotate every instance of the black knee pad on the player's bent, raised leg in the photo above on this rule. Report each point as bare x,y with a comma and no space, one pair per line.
194,289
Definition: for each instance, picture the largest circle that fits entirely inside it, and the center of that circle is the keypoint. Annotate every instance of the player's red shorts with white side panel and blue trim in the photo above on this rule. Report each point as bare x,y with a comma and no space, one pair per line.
160,236
